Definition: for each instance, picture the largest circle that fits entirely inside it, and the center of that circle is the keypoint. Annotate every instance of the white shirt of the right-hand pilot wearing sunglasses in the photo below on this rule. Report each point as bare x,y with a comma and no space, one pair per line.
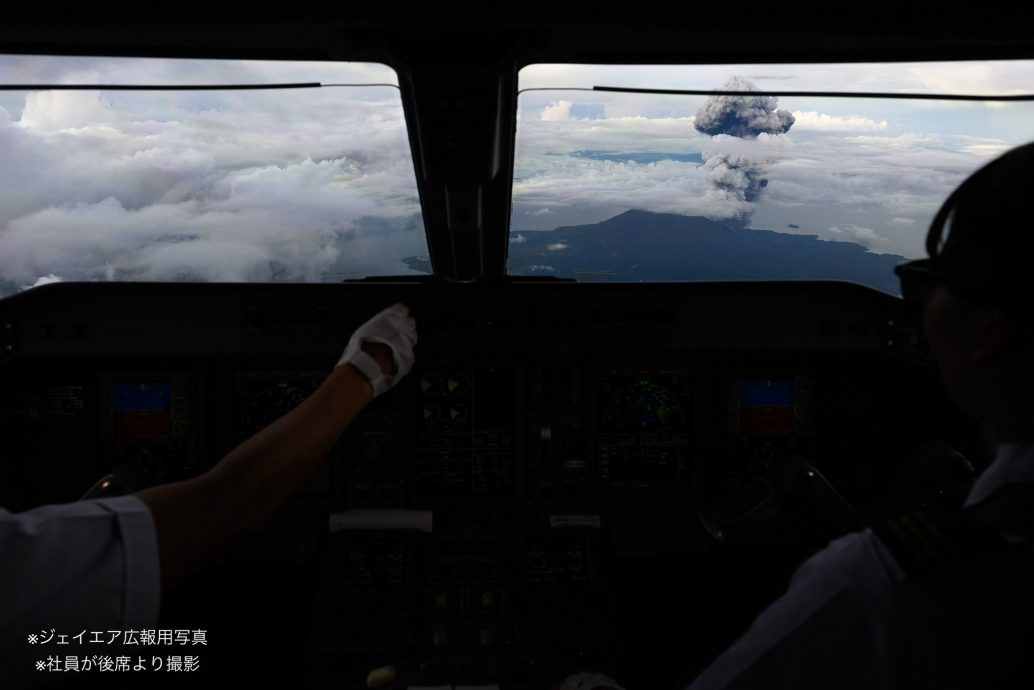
832,627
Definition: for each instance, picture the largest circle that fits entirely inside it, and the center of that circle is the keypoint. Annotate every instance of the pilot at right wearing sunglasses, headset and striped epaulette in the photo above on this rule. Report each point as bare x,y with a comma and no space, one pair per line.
863,614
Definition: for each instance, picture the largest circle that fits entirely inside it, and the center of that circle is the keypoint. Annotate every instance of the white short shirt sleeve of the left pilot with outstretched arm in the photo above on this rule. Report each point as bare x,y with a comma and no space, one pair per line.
89,566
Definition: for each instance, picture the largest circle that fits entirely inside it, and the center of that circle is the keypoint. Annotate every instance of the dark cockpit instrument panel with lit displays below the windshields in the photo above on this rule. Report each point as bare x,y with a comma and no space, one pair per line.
514,507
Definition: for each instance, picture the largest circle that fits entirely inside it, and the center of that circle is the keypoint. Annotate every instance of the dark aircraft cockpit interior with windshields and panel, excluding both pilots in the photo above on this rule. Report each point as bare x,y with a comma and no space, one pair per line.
663,356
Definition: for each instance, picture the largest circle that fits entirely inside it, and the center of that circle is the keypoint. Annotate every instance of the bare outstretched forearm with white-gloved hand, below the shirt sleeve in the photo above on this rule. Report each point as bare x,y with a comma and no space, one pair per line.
197,520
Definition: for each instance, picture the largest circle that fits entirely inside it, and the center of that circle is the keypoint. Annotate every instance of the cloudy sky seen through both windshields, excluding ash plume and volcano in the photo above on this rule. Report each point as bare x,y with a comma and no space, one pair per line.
319,185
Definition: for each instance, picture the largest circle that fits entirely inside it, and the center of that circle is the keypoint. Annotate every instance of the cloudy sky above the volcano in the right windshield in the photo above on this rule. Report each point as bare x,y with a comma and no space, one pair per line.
872,171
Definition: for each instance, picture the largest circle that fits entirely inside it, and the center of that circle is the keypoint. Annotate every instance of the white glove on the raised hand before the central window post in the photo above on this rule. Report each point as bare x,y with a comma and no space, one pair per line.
396,328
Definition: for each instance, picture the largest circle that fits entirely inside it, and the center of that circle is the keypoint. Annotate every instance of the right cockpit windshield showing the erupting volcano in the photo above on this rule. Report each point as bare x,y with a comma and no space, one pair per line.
761,172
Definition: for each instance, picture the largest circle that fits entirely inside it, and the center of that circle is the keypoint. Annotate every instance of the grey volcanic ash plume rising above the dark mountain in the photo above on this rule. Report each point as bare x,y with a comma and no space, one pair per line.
739,177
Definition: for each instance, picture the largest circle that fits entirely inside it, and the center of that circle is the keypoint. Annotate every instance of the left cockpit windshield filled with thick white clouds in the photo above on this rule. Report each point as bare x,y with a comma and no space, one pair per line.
308,178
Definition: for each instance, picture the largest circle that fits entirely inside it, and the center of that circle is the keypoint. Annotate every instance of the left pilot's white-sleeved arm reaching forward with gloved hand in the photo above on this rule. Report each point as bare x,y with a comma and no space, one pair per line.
103,565
